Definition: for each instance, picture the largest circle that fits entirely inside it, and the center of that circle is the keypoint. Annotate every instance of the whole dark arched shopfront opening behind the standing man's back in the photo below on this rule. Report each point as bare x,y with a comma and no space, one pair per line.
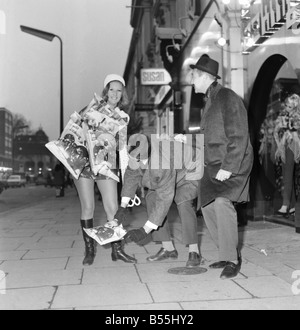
275,81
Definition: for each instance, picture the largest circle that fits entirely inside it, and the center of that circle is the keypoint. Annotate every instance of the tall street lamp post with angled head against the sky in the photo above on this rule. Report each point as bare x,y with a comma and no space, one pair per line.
50,36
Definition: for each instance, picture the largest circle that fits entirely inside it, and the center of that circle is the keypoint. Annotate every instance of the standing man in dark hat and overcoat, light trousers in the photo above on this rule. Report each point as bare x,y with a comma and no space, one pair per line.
228,159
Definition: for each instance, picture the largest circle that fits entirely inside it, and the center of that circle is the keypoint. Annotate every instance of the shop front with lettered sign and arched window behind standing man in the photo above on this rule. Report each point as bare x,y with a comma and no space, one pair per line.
272,77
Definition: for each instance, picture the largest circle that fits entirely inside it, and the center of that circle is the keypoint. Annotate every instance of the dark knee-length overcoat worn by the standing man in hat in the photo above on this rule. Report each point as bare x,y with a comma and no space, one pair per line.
227,146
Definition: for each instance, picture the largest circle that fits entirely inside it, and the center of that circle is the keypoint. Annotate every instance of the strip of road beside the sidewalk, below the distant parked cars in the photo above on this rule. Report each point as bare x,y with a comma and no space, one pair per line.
13,198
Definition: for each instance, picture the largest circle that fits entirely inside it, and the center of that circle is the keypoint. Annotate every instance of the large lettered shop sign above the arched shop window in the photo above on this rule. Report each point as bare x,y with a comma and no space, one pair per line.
273,15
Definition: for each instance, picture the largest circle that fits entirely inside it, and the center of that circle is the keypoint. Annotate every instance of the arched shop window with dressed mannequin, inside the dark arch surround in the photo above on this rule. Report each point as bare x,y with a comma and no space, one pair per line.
279,142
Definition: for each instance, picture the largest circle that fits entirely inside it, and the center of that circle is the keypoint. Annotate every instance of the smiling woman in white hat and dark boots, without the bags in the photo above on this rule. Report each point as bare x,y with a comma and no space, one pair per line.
115,95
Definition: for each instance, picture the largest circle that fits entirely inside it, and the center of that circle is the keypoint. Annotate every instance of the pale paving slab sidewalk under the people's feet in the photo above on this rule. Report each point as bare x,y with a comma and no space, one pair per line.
41,252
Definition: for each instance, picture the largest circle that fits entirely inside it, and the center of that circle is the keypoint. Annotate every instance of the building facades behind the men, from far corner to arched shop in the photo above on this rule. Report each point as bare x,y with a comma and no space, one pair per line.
257,46
